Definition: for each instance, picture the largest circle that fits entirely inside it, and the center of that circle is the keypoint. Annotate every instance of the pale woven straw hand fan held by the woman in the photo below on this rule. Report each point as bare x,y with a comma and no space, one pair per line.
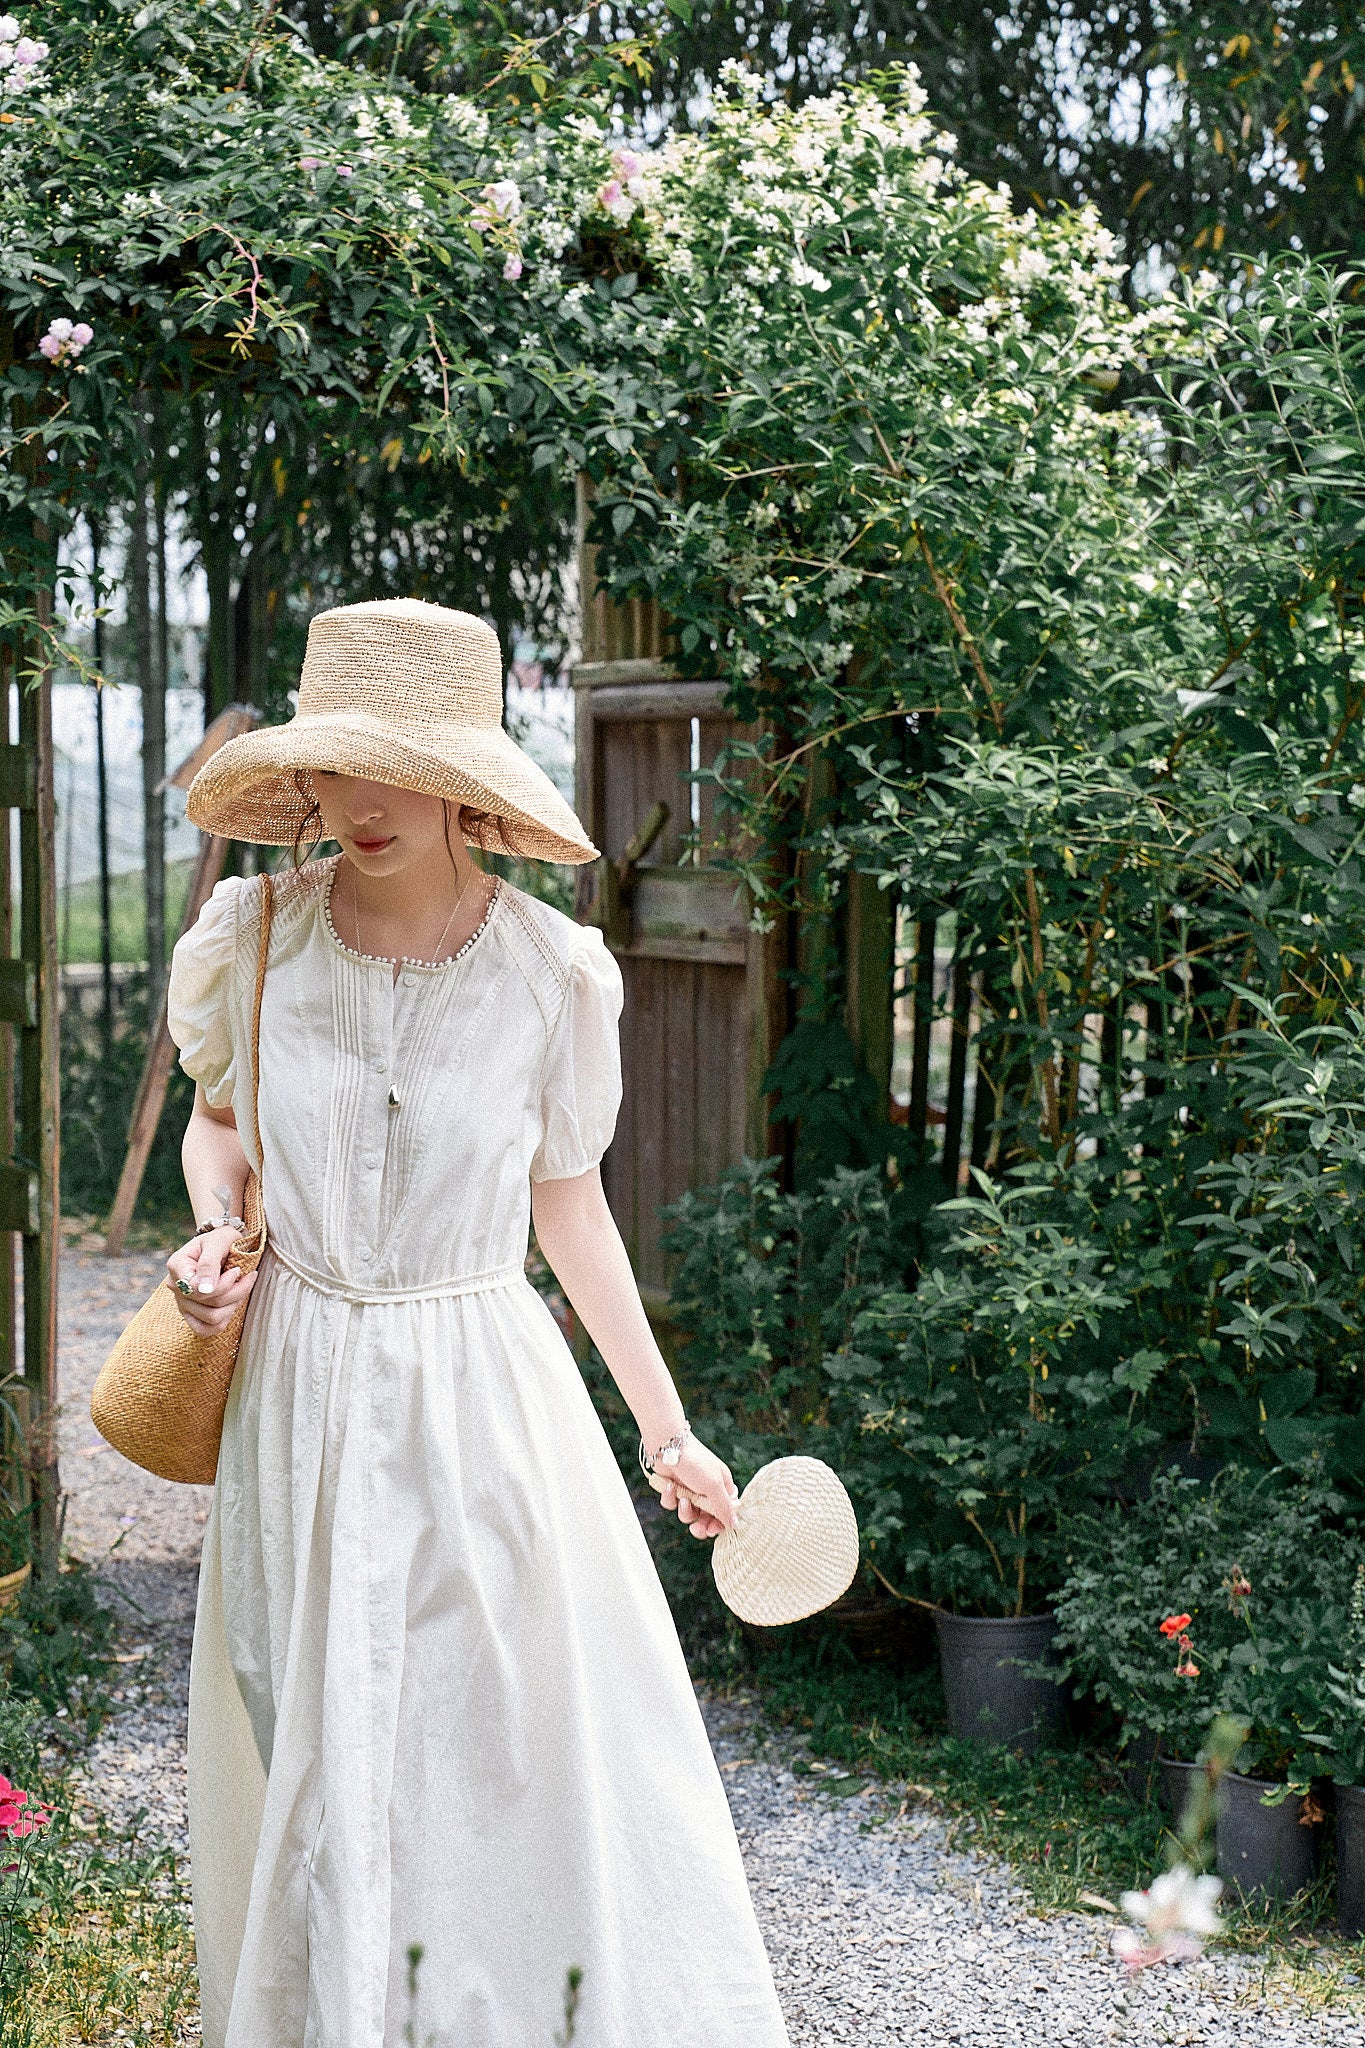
795,1543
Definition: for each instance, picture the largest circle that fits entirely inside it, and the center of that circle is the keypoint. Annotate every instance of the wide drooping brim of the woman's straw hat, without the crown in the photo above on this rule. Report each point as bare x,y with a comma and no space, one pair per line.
251,787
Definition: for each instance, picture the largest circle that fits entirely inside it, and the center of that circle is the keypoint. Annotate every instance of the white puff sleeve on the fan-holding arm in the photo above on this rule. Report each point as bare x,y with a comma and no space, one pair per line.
580,1082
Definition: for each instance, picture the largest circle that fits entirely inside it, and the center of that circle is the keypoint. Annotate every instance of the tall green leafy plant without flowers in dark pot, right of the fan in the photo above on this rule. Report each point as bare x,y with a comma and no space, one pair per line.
998,1414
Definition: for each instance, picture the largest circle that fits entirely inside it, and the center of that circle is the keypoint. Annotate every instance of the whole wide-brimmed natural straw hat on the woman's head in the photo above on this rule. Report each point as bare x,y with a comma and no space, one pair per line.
400,693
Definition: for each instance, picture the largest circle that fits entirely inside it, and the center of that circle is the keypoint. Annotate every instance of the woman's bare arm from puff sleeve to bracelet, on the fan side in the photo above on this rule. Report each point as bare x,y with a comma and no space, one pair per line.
582,1244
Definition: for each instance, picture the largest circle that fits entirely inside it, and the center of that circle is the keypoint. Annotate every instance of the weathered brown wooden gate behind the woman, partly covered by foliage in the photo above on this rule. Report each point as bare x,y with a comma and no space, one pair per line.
705,1009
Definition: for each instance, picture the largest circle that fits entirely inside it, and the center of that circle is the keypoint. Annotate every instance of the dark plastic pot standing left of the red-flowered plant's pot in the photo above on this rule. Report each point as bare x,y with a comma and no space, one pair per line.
989,1699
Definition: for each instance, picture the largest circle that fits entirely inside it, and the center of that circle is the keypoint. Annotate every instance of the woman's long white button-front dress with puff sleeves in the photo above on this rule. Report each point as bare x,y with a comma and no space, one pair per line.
437,1695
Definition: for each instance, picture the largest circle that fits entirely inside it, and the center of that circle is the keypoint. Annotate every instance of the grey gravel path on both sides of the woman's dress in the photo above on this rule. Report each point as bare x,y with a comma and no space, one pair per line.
877,1930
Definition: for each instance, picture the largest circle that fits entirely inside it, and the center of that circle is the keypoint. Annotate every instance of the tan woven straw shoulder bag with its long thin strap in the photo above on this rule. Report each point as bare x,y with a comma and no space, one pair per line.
163,1390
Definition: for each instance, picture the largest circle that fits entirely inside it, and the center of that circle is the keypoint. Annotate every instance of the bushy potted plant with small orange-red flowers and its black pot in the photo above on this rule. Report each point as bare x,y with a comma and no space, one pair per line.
1219,1598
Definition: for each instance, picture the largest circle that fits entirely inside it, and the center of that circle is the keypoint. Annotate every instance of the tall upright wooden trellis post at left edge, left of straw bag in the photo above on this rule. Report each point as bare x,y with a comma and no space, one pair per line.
40,1091
